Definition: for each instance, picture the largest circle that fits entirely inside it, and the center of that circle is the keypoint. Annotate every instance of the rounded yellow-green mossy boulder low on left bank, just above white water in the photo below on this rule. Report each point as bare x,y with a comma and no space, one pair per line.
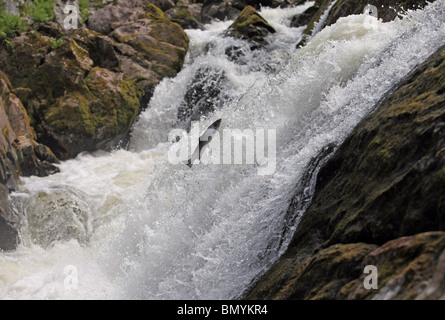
100,118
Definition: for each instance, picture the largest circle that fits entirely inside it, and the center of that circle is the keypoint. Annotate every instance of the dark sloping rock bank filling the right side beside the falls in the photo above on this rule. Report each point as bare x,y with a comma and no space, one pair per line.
383,187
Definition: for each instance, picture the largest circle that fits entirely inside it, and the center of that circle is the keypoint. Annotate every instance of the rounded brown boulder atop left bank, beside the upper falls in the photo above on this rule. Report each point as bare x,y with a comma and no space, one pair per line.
149,46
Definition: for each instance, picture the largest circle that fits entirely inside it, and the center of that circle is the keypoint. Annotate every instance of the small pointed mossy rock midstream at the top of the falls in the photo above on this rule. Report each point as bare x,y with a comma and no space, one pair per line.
250,26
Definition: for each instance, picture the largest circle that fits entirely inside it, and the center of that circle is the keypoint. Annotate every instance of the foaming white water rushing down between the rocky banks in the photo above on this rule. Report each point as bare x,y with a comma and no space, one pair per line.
131,224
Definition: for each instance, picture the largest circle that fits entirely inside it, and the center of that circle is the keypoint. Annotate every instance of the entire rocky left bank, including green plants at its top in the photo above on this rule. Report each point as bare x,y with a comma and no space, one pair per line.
66,91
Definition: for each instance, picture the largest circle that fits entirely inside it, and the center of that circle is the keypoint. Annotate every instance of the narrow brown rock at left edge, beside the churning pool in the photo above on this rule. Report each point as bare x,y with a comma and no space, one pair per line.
20,155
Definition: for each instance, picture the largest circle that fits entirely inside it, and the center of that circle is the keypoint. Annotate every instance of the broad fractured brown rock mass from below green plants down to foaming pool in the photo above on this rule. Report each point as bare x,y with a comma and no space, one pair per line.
70,109
